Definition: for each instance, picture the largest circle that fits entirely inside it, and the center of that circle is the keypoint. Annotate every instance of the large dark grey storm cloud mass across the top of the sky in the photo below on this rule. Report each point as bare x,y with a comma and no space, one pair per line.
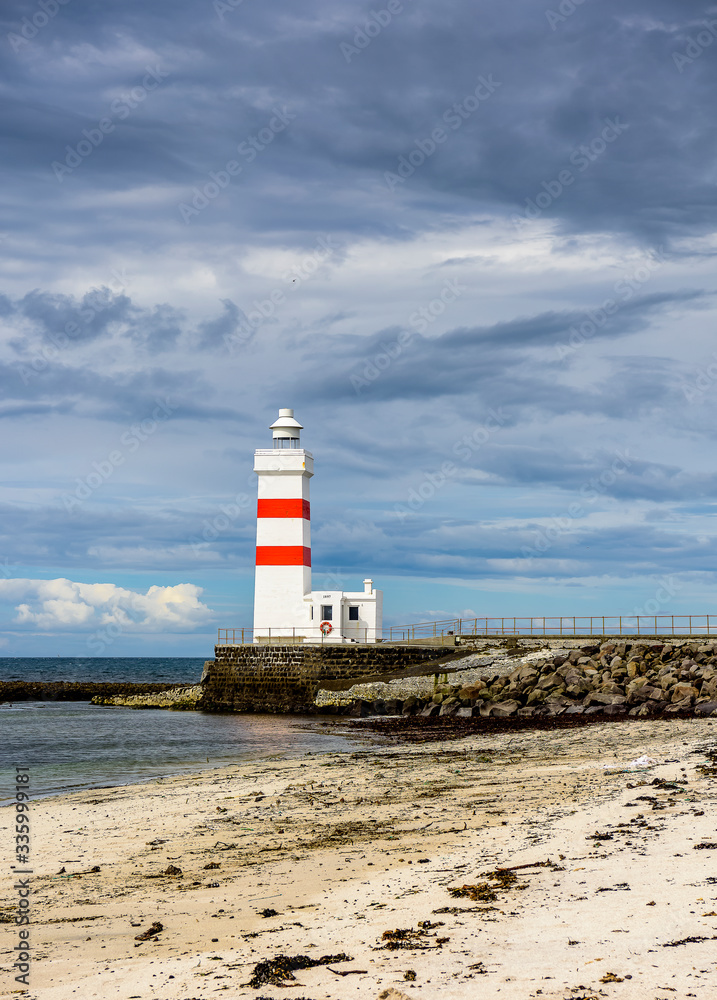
560,85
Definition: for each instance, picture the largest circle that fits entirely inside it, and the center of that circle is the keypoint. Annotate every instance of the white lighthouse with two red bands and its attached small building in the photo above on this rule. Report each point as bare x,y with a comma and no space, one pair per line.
285,607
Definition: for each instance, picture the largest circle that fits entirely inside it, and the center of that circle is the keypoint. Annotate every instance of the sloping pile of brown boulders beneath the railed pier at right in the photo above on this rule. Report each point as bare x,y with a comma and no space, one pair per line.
613,678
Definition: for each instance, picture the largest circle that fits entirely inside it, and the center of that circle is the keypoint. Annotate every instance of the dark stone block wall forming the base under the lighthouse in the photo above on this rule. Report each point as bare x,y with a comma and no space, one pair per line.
258,678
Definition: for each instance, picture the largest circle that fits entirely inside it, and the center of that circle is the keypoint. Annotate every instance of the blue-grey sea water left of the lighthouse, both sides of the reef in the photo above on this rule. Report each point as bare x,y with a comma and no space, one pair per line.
69,745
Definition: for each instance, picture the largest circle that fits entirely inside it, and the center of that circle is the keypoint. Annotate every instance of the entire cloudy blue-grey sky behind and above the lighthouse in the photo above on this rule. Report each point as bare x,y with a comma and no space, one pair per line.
471,243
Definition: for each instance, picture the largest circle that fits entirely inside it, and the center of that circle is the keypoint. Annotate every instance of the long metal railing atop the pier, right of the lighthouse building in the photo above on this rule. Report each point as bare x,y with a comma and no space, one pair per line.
576,625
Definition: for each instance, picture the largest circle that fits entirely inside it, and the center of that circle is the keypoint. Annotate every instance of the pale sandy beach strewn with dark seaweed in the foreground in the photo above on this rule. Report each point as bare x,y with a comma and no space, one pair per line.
508,864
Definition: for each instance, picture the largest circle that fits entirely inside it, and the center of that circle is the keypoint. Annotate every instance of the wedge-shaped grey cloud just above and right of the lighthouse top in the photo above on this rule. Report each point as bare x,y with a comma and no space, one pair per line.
503,362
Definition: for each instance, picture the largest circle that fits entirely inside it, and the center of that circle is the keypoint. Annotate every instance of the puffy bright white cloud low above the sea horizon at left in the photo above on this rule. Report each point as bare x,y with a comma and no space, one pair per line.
52,604
